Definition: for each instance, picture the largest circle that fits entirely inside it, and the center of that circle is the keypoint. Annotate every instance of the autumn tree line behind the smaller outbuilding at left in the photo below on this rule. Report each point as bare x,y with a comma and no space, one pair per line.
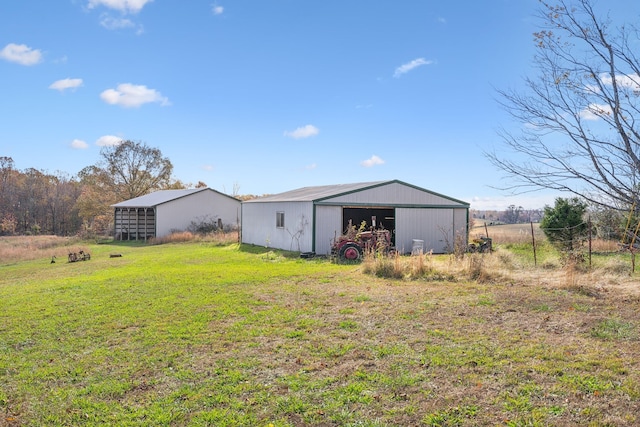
38,202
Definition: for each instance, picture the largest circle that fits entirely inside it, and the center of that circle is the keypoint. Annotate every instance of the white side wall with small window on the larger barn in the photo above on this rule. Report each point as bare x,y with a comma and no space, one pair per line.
259,225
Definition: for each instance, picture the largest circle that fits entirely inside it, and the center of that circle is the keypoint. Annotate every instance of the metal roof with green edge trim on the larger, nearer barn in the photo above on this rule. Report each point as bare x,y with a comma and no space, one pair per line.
318,193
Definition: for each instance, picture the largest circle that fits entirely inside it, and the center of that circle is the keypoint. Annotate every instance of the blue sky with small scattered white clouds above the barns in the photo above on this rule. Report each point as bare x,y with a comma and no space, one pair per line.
268,96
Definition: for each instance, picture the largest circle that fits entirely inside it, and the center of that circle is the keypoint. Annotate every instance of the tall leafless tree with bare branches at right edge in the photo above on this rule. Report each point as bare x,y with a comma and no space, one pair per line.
579,132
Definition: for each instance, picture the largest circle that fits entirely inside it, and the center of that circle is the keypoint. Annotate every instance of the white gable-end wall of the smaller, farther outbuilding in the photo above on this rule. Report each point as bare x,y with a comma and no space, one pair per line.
208,205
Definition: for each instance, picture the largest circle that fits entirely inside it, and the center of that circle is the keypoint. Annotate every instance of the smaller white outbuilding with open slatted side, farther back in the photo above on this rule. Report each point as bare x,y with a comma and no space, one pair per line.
160,213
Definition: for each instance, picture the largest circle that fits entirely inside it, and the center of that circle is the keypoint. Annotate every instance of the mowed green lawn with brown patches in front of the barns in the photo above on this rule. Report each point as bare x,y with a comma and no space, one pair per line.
198,334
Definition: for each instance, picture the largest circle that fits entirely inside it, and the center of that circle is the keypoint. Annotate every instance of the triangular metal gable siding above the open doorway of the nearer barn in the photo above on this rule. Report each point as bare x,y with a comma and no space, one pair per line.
392,194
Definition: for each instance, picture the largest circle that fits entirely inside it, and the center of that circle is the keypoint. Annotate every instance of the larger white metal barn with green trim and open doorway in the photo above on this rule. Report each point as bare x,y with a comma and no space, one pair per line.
309,219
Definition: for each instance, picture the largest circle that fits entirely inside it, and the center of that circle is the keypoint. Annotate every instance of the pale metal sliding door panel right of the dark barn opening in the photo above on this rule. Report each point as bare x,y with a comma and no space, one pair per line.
433,226
